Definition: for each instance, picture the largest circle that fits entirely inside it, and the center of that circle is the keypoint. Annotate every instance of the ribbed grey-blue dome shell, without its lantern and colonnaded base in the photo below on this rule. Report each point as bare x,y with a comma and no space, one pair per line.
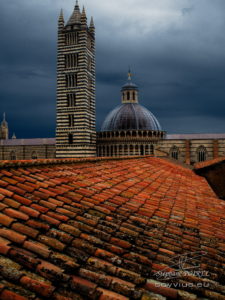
130,116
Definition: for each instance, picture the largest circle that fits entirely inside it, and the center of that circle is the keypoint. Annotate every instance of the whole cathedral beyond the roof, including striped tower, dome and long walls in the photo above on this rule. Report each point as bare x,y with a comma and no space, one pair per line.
130,129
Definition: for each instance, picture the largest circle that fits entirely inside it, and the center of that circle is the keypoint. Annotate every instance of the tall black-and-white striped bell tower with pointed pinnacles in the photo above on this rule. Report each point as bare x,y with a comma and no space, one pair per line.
75,131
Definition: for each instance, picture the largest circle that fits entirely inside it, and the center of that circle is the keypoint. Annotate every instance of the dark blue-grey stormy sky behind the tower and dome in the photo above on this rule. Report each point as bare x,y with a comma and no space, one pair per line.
176,50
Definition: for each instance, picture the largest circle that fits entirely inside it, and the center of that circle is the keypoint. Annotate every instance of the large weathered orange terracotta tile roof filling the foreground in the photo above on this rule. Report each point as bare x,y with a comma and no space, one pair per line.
109,229
